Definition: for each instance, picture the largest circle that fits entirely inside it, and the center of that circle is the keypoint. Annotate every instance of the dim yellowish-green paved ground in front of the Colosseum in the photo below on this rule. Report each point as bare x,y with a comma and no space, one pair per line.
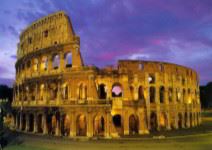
199,138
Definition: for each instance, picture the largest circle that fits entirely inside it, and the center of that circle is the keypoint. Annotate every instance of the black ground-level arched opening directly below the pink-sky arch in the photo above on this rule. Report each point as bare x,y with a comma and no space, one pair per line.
117,121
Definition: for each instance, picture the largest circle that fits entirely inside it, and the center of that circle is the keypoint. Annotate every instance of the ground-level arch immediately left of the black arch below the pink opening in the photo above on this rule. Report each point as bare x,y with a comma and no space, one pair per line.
99,126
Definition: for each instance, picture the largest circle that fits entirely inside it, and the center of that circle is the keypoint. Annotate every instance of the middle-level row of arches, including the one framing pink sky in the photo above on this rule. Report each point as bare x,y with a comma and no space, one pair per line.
52,89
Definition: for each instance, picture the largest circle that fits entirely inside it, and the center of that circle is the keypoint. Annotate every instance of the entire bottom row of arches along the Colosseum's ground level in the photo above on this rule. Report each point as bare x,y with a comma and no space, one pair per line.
56,124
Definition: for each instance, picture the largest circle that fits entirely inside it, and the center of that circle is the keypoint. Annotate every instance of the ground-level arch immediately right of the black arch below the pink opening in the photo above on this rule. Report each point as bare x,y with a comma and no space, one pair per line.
133,124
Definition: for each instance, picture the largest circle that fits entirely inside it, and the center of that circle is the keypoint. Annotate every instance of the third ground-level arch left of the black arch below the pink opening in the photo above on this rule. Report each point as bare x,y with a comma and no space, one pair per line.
65,125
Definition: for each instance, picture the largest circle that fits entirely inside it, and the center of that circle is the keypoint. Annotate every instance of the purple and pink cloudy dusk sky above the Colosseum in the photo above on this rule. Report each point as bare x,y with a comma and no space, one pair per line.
177,31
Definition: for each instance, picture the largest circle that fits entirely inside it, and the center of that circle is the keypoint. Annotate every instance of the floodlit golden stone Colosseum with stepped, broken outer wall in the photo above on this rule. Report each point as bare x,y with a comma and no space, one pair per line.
56,94
